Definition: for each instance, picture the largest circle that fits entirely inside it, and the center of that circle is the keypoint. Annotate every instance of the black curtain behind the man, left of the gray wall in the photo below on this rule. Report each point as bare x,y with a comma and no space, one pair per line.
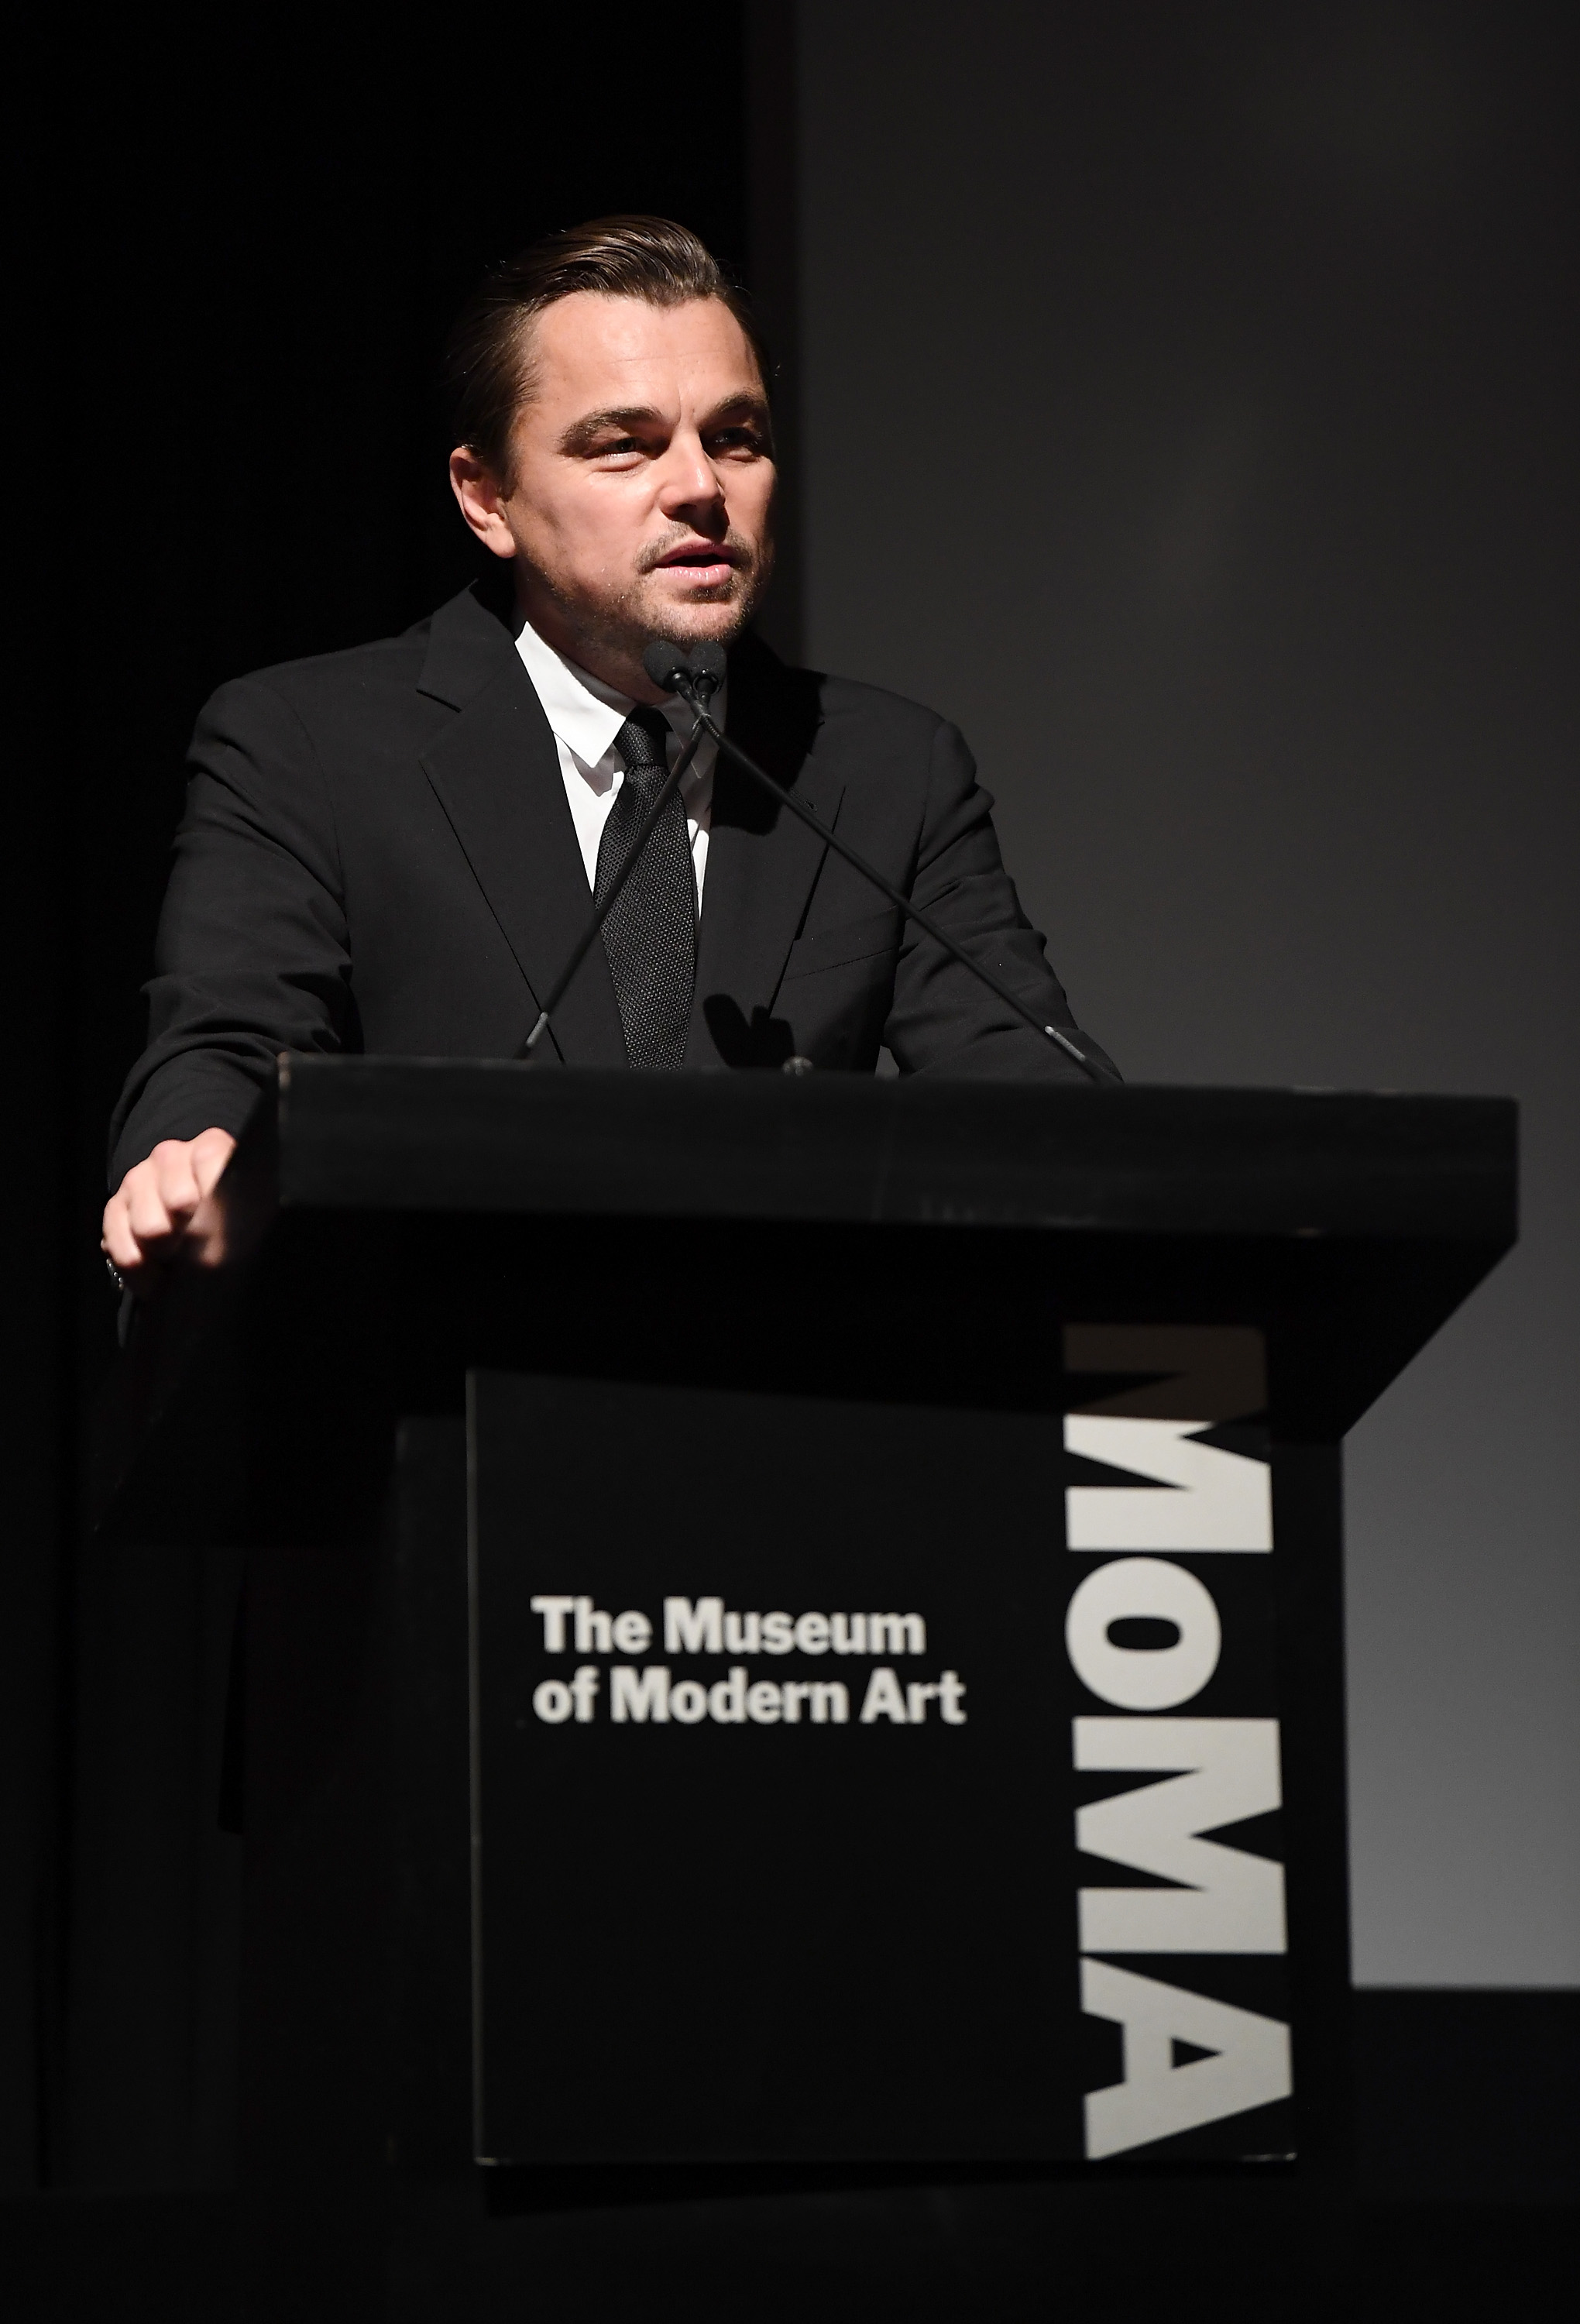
245,238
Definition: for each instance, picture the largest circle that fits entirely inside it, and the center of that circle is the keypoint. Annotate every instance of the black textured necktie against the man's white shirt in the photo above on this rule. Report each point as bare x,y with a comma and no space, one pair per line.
652,928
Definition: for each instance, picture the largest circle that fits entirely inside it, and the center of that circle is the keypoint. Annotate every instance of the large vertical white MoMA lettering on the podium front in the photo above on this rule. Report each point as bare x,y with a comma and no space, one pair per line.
1179,1658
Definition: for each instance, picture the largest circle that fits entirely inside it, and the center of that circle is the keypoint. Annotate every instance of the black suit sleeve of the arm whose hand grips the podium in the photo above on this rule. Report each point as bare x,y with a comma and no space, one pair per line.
252,947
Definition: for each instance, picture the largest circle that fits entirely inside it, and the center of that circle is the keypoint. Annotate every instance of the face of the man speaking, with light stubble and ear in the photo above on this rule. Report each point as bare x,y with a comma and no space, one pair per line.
645,480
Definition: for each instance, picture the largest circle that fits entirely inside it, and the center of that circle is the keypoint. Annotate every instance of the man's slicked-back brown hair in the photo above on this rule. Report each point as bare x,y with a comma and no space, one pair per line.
489,359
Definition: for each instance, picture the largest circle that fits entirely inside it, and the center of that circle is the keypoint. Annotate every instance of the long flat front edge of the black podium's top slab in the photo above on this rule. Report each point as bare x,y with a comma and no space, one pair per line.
501,1138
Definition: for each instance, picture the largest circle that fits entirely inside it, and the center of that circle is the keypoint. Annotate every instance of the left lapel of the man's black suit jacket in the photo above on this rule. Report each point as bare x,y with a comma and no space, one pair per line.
498,777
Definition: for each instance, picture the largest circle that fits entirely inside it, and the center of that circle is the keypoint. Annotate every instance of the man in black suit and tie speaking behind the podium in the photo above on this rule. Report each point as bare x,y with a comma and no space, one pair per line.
396,849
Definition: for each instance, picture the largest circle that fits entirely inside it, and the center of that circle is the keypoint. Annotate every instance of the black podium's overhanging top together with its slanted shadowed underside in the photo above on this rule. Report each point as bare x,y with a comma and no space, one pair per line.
382,1235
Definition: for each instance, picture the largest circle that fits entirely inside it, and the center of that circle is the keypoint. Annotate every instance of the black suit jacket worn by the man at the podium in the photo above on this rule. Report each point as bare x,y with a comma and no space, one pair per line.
378,856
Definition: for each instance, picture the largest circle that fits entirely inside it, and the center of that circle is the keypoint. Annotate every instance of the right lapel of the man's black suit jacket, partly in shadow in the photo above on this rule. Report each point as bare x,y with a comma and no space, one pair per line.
763,861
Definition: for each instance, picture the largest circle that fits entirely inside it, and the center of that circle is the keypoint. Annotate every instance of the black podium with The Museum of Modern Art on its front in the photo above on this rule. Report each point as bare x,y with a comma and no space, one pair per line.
793,1635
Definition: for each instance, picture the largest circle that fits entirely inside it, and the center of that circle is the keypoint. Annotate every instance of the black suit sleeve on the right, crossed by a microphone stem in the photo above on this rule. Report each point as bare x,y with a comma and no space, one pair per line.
945,1021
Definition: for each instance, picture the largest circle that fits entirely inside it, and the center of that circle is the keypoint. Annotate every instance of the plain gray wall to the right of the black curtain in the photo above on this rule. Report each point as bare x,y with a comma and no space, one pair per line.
1186,413
